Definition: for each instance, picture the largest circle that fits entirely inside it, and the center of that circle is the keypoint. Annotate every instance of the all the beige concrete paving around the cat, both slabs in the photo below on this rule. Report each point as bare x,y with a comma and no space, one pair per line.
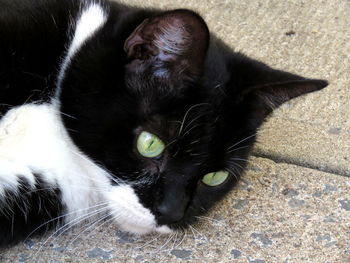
293,204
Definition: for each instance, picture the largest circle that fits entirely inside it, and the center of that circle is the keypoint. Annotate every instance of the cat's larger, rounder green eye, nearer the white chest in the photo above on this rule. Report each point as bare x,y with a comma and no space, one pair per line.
149,145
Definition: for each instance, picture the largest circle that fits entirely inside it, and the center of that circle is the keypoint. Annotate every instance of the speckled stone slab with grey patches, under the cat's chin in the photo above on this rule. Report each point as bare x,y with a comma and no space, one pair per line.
266,229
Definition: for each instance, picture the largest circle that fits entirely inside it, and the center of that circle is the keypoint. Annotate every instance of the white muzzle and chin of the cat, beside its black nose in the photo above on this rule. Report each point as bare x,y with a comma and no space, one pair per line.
130,214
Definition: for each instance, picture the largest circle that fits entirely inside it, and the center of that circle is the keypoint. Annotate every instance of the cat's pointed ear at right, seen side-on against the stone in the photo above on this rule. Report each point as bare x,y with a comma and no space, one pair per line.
269,88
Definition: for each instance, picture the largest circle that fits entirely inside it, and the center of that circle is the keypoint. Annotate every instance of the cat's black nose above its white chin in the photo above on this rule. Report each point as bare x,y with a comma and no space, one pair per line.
169,214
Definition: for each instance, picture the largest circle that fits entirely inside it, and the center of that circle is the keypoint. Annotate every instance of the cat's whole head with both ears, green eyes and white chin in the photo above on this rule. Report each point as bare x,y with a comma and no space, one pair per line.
171,117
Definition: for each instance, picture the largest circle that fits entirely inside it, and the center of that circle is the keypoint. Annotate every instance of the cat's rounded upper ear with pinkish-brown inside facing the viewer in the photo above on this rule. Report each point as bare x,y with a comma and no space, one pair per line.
173,44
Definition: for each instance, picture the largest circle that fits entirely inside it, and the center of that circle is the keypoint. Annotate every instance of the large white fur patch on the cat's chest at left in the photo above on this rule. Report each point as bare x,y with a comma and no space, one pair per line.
33,140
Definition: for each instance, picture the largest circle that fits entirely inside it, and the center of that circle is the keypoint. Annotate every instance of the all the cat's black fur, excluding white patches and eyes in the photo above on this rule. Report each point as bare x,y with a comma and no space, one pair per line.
204,101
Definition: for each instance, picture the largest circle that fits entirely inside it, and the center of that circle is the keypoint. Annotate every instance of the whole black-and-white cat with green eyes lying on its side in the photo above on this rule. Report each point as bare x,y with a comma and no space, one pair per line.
112,111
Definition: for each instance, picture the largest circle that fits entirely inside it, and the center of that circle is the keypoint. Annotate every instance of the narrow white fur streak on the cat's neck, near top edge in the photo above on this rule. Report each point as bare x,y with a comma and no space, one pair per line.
92,18
